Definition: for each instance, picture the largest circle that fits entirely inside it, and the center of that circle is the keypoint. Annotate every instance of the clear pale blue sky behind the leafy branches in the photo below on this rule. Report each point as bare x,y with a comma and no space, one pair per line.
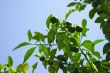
17,16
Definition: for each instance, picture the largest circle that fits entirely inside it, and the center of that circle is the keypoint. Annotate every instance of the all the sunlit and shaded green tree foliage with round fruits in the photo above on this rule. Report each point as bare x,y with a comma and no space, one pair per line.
77,56
